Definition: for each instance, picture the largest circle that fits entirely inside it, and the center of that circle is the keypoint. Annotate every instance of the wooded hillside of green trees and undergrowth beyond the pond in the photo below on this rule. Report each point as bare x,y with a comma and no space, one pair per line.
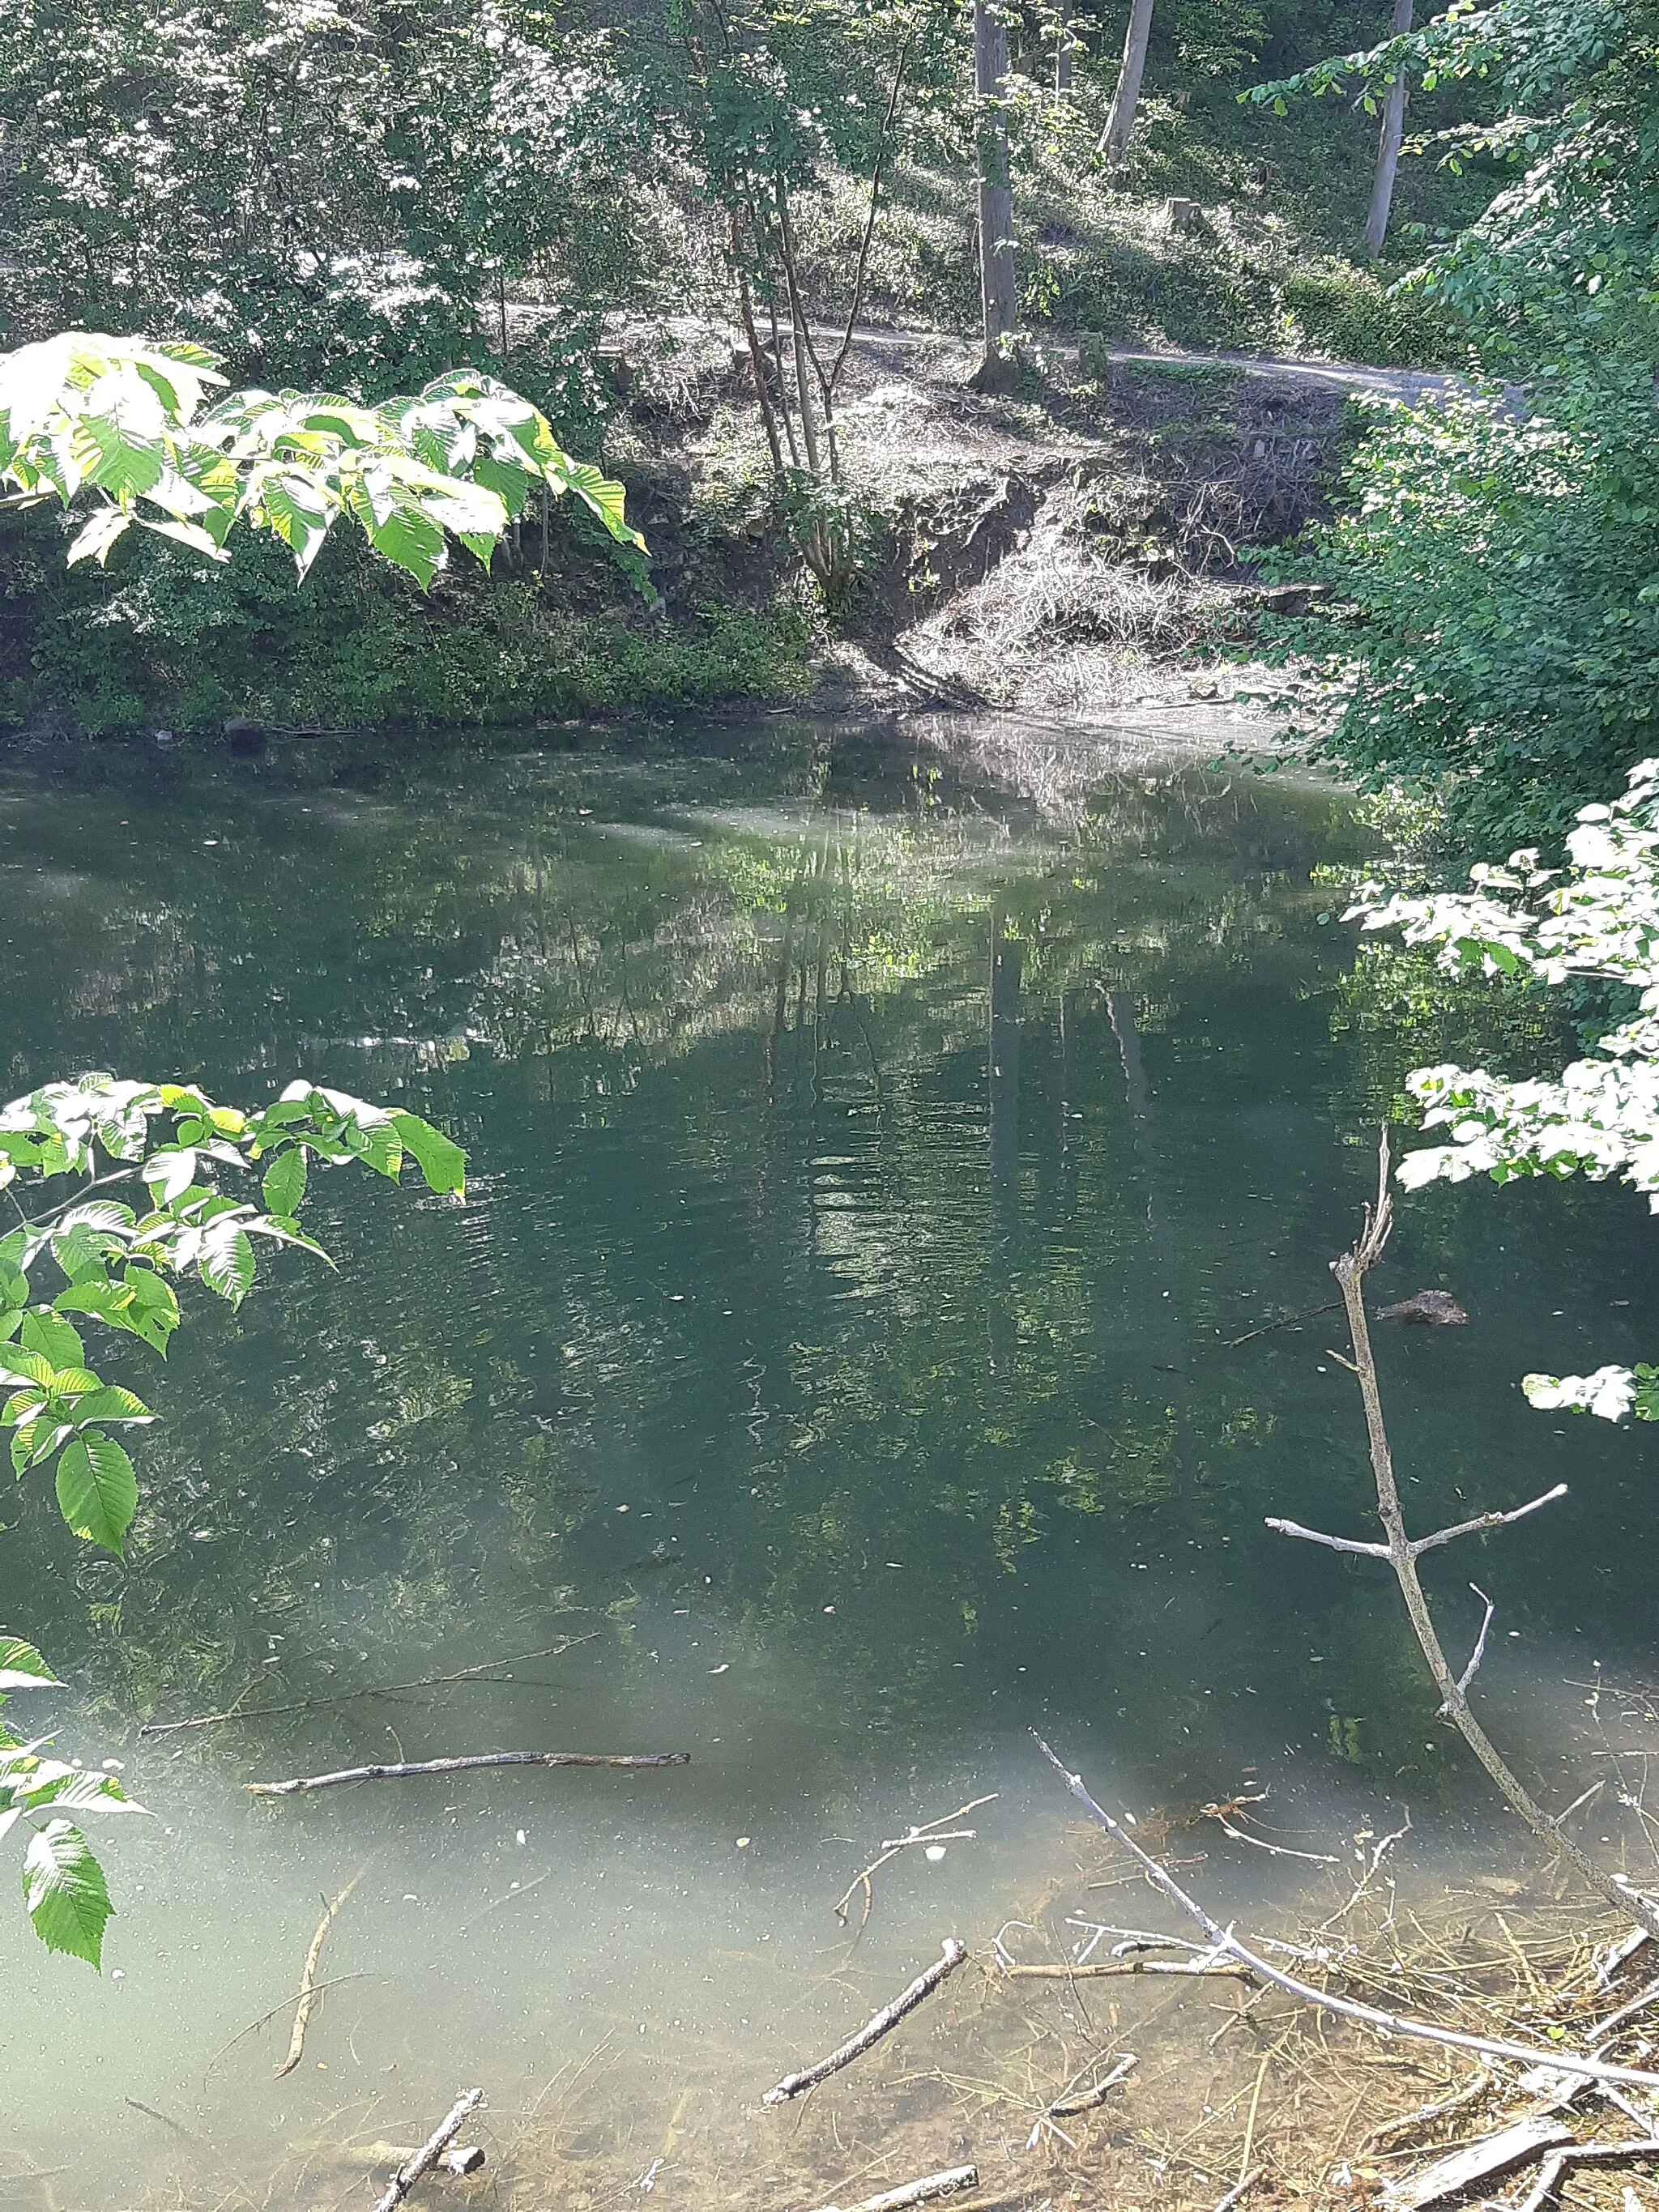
665,220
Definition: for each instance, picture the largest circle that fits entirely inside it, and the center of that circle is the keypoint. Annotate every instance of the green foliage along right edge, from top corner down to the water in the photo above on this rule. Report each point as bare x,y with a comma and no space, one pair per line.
1496,559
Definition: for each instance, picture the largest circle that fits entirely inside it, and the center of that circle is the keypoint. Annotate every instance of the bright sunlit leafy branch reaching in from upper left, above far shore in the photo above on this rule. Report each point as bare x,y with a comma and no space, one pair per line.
123,419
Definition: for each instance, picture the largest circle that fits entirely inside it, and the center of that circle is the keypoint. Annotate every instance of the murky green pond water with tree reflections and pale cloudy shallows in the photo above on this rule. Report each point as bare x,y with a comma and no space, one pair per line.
866,1182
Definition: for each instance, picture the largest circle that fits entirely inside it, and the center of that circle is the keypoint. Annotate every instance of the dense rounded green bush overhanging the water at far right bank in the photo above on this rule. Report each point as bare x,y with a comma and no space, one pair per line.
1496,618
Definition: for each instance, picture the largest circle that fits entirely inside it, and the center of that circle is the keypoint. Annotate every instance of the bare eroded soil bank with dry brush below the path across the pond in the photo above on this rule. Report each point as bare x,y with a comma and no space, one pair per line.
1076,550
